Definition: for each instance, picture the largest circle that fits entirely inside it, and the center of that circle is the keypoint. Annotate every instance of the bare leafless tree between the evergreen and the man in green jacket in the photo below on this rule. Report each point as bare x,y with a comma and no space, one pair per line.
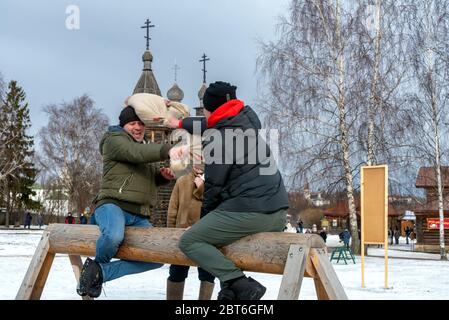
70,143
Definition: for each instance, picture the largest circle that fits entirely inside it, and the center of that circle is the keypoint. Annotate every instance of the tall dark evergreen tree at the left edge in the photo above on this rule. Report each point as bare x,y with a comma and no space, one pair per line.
17,172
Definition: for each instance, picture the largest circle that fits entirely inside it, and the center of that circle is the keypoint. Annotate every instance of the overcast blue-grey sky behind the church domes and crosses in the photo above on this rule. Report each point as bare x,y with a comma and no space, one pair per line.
104,57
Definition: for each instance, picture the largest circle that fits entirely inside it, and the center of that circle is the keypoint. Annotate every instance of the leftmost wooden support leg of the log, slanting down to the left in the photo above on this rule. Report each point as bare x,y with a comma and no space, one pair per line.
36,276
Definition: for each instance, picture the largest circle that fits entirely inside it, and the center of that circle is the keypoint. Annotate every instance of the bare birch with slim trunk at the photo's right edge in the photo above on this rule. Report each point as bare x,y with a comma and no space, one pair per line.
429,47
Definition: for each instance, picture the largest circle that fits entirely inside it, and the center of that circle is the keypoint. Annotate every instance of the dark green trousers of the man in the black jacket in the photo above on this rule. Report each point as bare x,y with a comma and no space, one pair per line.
220,228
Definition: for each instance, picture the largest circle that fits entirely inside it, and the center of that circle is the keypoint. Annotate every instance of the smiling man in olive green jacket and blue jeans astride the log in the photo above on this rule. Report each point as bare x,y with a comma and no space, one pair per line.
127,193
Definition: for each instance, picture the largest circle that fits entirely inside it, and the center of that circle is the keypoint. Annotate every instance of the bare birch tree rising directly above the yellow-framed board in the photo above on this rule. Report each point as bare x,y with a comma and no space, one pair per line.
382,65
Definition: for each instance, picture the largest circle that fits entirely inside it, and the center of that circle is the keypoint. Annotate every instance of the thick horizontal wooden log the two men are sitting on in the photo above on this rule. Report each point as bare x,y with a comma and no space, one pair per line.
262,252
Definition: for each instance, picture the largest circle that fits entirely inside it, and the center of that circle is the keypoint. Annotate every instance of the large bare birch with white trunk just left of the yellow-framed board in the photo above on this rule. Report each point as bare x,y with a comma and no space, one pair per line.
312,92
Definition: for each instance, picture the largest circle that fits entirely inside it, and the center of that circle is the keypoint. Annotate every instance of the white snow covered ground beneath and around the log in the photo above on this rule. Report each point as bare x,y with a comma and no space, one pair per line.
411,275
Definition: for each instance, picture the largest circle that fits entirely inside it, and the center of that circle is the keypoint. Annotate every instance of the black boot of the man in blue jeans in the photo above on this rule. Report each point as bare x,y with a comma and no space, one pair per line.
91,279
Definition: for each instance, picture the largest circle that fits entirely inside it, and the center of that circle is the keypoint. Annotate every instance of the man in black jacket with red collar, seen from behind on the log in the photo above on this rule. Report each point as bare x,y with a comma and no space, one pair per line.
241,197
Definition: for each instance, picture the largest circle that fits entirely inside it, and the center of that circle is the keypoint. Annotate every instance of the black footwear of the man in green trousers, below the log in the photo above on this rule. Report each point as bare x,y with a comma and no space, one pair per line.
242,289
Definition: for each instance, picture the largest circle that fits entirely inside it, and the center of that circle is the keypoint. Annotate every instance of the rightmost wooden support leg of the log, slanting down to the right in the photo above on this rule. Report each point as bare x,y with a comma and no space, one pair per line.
327,278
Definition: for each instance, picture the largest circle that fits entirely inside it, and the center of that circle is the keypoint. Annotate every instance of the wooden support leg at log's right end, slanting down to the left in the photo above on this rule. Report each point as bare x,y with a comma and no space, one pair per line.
293,272
